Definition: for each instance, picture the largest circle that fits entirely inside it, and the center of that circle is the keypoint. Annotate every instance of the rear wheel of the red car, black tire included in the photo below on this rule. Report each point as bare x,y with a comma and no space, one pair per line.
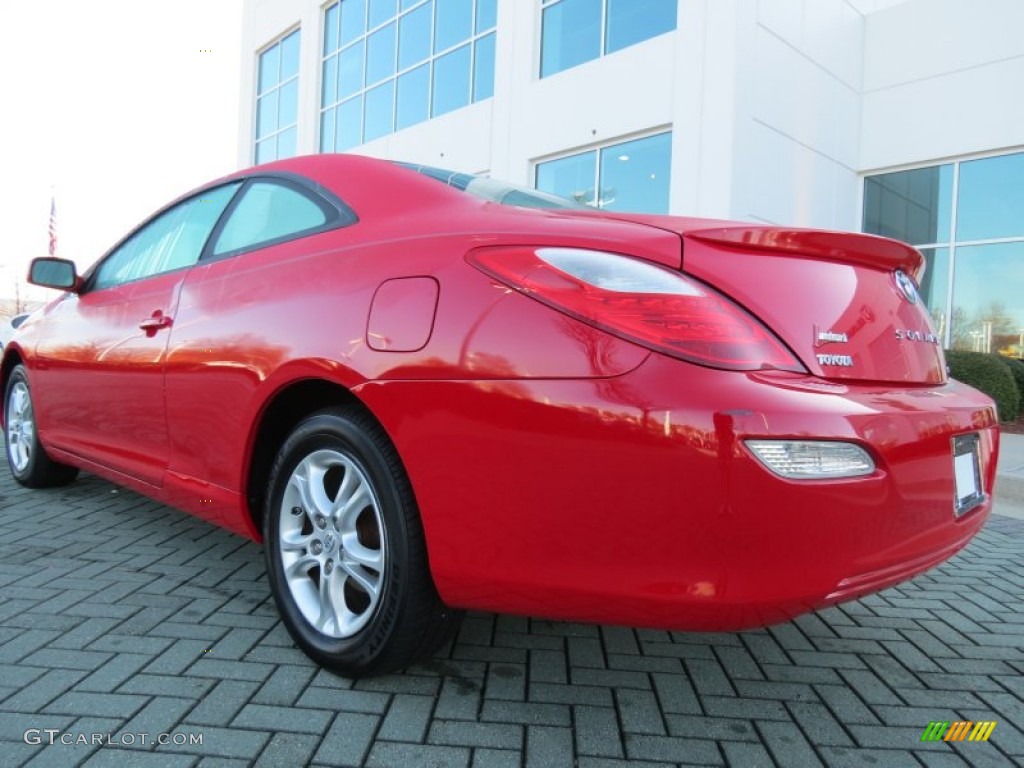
406,621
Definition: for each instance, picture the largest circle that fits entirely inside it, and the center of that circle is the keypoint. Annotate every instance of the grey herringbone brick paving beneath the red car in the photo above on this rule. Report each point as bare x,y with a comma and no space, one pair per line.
121,617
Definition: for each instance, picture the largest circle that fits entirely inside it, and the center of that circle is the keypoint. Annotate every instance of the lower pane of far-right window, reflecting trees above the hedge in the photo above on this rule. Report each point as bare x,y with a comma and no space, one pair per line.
989,297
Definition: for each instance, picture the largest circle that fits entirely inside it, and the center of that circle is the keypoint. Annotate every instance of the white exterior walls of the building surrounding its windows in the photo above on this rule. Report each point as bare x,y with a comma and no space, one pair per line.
778,107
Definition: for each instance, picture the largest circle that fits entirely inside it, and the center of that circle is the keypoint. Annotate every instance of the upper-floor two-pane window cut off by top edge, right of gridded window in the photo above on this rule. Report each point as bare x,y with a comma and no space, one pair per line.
578,31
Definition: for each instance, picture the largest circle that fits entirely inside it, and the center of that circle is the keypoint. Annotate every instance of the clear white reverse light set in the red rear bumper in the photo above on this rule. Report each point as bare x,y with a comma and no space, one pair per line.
813,460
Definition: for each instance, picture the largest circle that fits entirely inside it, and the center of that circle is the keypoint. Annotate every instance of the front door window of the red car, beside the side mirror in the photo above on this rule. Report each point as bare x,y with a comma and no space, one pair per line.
173,241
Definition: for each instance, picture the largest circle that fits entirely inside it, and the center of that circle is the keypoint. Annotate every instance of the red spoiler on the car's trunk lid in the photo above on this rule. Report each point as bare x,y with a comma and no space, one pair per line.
847,248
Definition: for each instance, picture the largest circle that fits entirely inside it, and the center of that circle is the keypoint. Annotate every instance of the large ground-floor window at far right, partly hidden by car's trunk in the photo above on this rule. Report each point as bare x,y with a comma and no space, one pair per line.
965,218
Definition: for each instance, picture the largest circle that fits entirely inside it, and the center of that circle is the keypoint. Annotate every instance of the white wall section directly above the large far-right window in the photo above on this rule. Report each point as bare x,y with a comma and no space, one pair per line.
943,79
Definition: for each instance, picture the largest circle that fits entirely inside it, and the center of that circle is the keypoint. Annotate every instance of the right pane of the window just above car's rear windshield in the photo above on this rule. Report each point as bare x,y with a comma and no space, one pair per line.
635,176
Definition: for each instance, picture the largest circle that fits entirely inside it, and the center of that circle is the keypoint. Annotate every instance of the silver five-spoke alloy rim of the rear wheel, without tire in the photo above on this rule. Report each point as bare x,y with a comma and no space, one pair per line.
332,543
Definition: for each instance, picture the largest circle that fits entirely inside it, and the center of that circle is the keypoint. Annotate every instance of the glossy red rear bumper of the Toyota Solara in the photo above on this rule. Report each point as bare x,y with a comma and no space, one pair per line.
633,500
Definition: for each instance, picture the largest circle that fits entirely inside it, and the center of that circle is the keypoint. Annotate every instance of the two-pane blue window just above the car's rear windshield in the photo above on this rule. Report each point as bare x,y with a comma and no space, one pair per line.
629,177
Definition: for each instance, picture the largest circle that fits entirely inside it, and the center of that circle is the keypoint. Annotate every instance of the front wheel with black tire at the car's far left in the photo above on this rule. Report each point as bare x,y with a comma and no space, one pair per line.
27,458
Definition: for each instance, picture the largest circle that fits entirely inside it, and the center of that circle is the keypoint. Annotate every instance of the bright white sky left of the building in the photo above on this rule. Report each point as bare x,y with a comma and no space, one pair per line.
116,107
